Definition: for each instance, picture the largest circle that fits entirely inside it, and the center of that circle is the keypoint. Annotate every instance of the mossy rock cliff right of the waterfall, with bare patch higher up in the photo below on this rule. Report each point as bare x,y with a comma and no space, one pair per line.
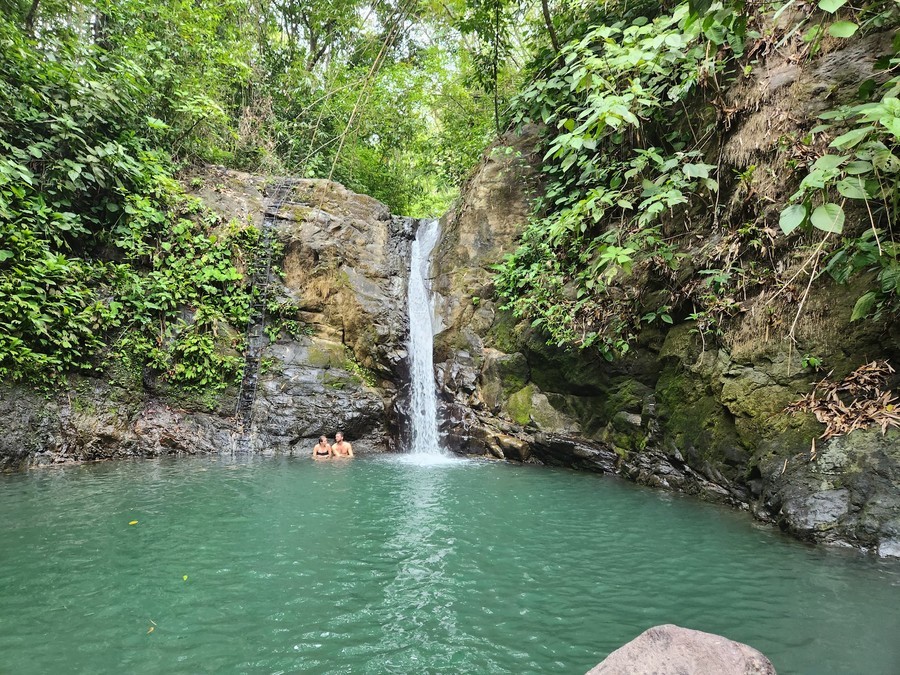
680,412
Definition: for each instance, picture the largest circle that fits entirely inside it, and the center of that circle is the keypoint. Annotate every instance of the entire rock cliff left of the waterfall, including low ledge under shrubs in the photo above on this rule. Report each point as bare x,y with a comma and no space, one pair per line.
344,269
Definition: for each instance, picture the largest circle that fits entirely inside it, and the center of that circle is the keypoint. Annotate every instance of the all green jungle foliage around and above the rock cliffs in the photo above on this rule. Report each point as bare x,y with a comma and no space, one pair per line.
105,259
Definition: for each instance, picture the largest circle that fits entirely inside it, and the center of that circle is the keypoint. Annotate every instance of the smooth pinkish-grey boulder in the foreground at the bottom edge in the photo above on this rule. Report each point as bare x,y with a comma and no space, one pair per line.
673,650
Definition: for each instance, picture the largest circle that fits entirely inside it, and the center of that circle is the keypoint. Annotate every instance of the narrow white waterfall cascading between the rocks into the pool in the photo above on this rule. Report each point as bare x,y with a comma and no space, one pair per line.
423,395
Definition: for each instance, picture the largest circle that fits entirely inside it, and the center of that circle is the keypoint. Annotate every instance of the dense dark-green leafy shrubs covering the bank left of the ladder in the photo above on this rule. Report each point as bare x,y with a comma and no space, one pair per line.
101,254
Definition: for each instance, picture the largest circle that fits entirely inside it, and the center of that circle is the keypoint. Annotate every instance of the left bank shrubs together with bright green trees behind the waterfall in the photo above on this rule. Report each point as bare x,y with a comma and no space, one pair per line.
103,258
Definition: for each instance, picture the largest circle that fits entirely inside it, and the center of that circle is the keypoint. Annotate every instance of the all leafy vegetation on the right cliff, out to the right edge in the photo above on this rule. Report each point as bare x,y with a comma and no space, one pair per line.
635,109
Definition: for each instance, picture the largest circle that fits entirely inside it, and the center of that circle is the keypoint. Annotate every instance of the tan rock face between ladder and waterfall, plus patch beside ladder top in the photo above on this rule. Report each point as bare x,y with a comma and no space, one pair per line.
345,268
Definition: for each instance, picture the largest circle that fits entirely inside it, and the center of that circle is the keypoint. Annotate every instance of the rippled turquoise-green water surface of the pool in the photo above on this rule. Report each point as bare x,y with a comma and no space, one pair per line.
379,565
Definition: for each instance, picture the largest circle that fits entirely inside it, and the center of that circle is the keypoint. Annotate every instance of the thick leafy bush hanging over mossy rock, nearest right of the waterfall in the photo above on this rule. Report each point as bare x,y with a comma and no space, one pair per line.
617,168
